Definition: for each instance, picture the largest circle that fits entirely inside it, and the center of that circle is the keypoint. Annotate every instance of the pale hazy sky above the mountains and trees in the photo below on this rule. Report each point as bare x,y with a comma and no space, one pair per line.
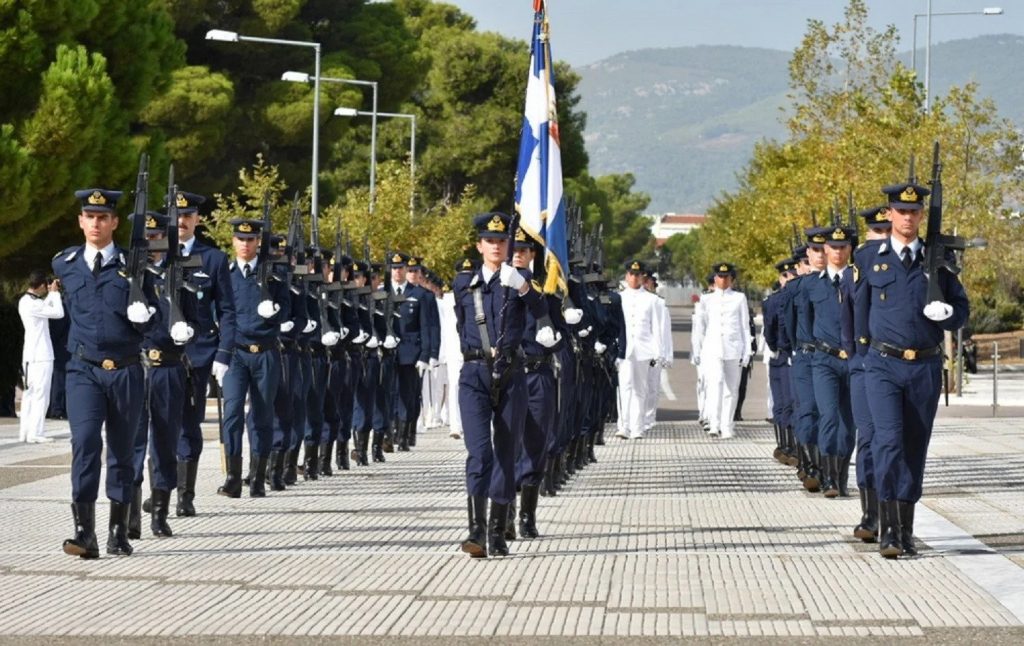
586,31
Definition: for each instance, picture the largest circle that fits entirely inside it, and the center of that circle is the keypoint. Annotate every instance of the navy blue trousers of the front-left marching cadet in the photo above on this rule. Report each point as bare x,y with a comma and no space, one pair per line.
96,397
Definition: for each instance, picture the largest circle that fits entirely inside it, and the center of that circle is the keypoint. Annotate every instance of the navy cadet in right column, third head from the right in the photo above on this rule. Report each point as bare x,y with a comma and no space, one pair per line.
827,296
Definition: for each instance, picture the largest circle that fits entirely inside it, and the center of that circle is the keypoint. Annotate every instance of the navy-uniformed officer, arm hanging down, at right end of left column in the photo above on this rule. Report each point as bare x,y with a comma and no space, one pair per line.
415,330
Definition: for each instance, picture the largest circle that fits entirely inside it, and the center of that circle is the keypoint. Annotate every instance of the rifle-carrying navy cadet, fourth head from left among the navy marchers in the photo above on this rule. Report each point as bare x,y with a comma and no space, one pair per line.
255,368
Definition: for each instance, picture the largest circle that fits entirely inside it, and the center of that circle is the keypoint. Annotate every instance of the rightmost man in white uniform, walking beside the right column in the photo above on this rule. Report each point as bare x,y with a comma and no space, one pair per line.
722,349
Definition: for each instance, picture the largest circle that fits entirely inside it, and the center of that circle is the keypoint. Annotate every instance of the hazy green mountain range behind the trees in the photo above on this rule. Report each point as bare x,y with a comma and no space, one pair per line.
685,120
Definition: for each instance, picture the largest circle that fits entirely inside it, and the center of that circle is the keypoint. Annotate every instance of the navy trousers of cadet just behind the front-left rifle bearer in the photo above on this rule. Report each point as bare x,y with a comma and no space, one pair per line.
160,426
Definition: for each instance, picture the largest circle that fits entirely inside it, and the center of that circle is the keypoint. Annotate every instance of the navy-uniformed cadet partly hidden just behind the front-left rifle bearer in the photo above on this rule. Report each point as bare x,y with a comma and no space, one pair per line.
166,391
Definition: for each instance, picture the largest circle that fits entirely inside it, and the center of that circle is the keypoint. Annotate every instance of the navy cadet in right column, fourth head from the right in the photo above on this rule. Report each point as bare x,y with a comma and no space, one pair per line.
802,341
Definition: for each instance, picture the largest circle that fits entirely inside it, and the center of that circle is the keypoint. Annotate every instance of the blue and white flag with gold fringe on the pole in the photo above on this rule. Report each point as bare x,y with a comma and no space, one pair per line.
539,176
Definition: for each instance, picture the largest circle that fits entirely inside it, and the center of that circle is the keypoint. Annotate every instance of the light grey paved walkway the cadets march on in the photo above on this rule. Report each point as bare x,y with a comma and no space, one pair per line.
674,536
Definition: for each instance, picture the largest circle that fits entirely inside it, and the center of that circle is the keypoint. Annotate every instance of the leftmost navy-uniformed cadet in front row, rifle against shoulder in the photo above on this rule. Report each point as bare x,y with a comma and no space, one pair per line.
105,377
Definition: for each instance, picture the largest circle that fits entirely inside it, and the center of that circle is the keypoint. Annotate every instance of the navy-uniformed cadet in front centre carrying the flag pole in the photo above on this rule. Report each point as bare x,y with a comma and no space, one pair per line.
491,311
